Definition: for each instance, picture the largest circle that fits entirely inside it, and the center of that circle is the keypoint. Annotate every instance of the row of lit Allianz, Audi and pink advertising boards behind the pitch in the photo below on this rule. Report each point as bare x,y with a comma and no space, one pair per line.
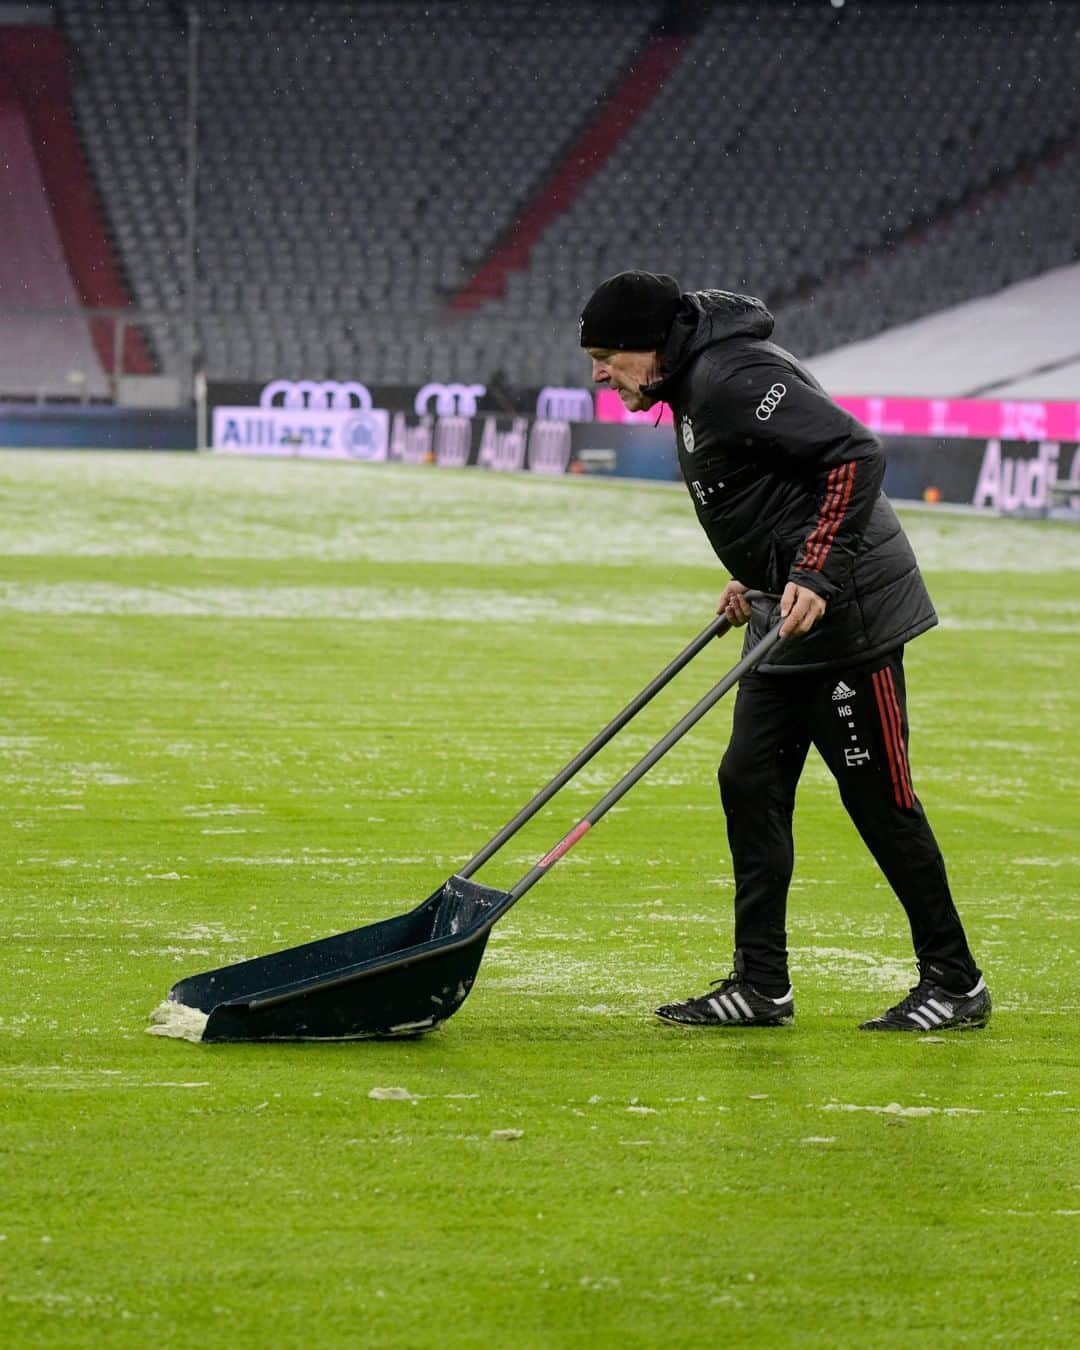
1002,456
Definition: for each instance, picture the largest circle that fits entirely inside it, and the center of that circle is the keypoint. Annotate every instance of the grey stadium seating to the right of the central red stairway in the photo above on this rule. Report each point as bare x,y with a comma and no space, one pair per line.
790,156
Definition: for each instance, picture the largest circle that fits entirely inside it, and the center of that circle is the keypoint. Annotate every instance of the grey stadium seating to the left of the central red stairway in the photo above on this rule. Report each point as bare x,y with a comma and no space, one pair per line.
356,161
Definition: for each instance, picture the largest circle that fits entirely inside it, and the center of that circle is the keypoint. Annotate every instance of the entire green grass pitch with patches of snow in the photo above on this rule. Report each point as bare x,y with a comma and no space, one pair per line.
244,705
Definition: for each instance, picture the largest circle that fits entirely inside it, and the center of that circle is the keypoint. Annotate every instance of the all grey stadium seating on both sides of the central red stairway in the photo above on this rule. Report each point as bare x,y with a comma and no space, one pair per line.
360,161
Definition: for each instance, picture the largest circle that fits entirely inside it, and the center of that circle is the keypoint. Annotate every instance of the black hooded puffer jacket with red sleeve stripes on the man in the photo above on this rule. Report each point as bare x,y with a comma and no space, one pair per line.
788,485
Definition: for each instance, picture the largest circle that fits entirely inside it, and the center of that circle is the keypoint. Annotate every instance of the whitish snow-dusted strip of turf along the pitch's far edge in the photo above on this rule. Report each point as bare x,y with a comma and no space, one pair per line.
414,515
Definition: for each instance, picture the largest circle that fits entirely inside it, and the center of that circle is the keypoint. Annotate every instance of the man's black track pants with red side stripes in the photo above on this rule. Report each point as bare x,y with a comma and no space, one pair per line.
858,720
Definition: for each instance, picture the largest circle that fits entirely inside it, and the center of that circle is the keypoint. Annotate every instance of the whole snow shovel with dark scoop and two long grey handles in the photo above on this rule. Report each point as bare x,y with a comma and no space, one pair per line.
407,975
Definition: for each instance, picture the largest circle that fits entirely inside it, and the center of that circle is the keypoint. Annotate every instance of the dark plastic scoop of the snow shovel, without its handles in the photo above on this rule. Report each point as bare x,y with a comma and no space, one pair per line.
400,977
